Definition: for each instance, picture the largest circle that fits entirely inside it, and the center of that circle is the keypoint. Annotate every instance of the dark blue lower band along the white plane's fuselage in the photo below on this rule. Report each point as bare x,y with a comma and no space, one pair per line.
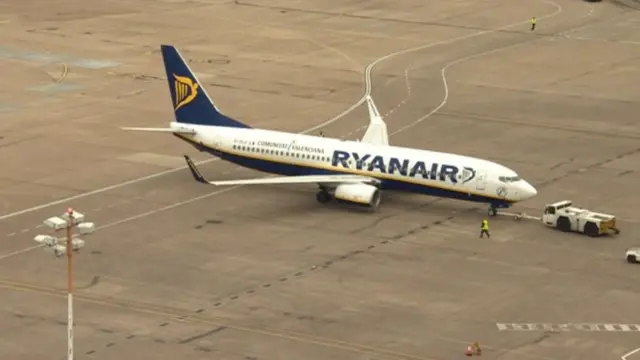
275,167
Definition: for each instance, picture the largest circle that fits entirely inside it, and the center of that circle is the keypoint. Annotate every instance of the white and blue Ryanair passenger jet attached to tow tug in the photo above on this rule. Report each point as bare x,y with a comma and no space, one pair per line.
349,171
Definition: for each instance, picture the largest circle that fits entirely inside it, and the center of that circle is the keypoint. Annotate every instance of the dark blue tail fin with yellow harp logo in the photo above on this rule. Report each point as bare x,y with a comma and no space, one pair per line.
191,103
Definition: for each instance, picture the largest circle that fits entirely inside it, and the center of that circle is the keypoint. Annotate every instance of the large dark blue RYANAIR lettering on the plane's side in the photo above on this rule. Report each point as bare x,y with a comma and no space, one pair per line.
404,167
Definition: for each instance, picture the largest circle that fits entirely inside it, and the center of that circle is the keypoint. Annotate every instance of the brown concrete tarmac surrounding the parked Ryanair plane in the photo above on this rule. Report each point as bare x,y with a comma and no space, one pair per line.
181,270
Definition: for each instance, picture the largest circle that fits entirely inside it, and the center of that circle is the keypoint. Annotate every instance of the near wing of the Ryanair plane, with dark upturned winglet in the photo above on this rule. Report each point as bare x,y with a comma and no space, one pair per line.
303,179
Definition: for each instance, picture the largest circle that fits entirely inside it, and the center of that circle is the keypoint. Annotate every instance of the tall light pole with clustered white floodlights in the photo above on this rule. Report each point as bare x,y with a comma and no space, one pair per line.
67,221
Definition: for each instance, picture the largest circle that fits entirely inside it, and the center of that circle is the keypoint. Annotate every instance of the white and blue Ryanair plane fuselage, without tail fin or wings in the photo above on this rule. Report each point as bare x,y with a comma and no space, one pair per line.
398,168
